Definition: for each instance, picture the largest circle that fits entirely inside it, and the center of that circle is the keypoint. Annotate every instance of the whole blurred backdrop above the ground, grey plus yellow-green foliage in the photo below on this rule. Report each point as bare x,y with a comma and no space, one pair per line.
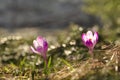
57,14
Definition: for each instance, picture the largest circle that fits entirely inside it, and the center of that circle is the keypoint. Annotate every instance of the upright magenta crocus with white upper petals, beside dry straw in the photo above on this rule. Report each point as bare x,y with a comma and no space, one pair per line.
89,39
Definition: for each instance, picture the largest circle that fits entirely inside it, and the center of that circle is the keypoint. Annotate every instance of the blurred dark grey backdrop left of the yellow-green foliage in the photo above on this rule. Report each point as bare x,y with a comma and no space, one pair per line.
44,14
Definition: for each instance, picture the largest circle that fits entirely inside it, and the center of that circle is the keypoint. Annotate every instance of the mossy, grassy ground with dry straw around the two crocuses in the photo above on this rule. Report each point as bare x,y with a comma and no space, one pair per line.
70,59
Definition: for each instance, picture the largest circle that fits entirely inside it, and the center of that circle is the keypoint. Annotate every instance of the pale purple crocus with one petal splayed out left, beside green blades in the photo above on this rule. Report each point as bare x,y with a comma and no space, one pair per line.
40,47
